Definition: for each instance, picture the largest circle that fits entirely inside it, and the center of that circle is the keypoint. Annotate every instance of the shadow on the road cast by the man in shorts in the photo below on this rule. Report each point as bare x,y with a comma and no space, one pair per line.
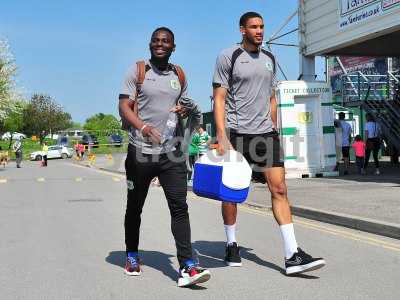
211,255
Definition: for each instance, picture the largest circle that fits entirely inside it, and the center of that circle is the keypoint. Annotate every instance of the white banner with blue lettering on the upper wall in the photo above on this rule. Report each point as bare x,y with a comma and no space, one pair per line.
353,12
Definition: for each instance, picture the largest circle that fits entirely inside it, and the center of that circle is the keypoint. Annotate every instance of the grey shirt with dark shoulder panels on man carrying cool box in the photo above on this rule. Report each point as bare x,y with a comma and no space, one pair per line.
249,83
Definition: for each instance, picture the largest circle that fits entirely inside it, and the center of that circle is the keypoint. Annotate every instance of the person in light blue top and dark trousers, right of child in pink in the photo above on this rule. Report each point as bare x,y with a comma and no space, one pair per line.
373,142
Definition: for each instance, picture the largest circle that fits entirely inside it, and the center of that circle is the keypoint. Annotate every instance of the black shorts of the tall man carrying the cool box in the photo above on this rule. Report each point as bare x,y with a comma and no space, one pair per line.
261,150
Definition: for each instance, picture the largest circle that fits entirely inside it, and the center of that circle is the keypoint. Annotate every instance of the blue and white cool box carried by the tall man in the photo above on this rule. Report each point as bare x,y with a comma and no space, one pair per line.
222,177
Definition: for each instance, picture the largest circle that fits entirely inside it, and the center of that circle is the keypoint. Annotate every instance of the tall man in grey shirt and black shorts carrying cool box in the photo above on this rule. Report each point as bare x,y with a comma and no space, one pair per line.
244,82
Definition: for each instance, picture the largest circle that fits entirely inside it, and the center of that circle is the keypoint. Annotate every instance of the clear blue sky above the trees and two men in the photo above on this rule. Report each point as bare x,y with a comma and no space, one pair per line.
79,51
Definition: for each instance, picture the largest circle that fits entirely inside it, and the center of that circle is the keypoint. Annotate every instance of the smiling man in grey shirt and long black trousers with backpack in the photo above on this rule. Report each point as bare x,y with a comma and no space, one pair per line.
153,152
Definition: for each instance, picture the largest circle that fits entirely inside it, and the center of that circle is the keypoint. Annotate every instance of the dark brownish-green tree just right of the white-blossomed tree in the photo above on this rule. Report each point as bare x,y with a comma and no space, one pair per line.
44,115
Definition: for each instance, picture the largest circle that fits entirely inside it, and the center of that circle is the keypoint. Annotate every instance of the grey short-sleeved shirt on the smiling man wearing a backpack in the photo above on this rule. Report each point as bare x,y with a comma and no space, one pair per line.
157,95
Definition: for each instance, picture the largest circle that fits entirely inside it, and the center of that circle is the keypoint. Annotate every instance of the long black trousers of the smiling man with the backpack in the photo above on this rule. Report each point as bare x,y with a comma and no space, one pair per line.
140,170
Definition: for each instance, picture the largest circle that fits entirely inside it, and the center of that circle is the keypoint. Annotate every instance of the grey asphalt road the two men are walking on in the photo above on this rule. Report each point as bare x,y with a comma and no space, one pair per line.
62,238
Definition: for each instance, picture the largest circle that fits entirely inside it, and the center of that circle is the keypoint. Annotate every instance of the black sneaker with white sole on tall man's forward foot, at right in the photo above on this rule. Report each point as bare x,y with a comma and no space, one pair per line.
302,262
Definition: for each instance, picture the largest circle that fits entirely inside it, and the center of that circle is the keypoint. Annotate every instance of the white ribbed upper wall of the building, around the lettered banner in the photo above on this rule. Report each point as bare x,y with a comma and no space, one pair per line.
320,22
